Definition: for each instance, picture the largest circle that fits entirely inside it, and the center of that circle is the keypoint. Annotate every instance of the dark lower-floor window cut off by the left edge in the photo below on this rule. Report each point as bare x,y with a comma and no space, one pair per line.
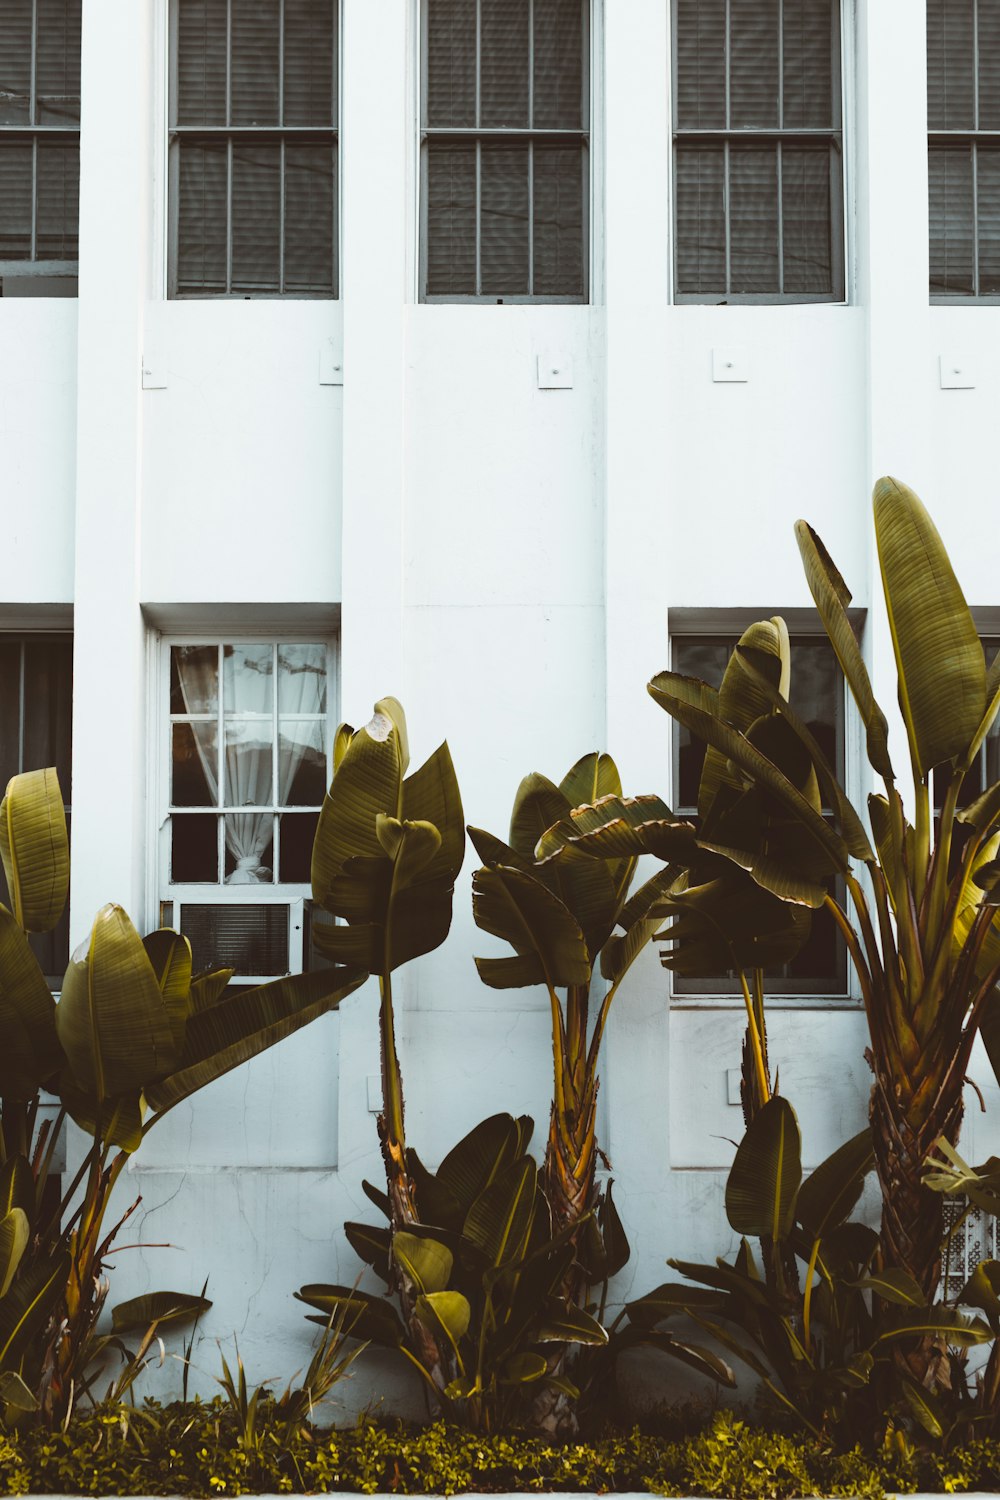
37,697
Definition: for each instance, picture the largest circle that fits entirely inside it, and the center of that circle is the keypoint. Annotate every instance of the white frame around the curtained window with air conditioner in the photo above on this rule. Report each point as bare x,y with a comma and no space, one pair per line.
172,896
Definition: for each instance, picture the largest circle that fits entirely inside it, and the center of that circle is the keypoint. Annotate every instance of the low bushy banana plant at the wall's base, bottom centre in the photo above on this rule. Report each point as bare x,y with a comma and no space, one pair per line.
485,1277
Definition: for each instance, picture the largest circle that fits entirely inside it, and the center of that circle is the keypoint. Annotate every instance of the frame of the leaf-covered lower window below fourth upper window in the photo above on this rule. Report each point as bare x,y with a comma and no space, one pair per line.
803,623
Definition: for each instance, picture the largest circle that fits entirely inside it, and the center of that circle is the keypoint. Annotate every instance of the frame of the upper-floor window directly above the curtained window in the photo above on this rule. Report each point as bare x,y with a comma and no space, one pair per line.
176,133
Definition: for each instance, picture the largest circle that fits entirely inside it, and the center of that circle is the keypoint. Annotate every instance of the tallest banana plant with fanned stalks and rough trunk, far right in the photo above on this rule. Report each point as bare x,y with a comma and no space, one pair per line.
921,931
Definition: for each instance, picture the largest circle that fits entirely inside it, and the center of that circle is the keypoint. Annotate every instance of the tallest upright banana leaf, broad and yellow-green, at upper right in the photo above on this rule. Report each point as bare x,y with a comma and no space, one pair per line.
941,665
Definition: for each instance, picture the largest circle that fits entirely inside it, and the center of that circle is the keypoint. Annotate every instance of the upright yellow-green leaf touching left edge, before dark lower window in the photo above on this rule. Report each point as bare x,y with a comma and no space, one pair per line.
35,850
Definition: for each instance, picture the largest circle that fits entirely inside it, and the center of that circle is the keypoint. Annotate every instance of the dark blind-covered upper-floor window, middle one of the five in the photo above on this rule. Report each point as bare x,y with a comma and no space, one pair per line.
506,151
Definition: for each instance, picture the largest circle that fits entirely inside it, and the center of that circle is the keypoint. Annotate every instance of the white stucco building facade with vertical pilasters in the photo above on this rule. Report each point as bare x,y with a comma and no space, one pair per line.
500,557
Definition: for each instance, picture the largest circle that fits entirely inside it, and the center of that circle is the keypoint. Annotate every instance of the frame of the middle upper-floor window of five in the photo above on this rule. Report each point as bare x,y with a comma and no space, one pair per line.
584,137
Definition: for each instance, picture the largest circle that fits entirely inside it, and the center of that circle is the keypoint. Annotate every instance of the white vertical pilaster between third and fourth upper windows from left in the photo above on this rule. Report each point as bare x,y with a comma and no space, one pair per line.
638,535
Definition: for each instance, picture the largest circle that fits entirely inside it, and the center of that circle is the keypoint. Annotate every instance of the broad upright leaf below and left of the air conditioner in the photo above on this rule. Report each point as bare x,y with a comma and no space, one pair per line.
112,1019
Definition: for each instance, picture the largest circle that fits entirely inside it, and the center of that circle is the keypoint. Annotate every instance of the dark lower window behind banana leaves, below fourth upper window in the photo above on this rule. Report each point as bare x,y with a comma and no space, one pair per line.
818,697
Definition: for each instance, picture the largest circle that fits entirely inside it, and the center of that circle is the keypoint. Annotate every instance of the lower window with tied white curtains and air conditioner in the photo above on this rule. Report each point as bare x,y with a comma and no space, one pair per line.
245,773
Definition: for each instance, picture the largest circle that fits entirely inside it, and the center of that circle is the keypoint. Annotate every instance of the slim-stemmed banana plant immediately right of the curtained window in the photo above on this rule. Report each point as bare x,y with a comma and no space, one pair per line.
386,856
